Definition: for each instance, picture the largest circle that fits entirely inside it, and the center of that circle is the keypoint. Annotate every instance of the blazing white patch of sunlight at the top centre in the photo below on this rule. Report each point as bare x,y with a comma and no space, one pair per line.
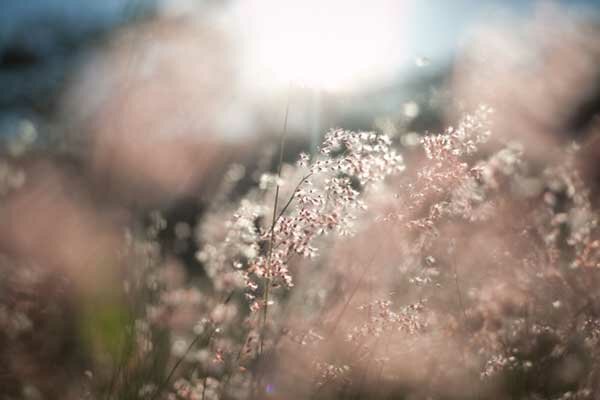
331,45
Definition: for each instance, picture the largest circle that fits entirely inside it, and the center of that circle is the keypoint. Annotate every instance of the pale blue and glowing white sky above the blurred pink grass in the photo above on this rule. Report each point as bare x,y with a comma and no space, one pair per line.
330,44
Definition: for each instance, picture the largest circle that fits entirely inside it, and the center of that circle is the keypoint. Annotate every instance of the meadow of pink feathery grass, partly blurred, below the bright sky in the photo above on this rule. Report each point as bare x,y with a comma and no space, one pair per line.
453,263
